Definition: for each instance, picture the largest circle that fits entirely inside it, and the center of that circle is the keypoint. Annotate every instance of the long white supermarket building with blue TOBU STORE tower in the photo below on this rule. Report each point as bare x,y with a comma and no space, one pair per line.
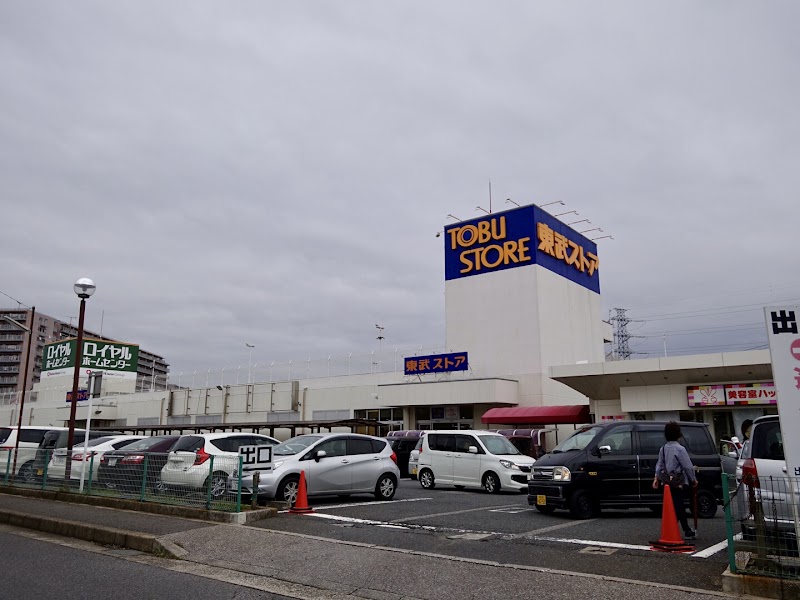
524,348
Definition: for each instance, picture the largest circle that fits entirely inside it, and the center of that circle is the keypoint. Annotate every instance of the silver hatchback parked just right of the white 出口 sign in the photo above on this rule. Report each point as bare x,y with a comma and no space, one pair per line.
335,464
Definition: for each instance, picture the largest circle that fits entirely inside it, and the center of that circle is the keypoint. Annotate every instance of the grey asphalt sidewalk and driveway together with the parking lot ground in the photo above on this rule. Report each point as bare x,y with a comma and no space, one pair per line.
439,544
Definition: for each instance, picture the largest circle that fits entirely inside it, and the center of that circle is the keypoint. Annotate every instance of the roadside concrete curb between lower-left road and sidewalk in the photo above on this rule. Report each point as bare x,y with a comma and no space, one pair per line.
108,536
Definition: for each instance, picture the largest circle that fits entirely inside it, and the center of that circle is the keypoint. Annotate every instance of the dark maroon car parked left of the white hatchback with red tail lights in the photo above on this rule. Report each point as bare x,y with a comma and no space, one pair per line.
123,469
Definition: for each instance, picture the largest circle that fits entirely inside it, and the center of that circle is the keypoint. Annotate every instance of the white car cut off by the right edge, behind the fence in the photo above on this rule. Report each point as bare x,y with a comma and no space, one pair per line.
766,488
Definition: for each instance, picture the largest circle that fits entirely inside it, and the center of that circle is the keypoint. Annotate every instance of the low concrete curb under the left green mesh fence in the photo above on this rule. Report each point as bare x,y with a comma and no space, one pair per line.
188,512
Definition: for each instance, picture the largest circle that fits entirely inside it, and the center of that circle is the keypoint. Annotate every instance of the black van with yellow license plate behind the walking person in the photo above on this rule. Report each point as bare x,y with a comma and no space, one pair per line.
613,465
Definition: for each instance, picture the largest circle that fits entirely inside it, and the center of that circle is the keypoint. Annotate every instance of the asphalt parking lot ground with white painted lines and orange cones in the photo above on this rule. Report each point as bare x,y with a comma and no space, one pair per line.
504,528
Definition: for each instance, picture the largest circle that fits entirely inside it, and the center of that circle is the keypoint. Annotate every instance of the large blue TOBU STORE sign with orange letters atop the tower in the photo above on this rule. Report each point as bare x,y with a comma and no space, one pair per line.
516,238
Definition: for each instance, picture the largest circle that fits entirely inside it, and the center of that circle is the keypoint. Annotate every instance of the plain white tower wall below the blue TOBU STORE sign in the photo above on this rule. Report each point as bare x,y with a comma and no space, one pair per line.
518,322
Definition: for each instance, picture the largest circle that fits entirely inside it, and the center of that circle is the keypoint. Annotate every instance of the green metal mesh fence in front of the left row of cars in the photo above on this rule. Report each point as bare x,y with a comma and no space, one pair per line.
192,479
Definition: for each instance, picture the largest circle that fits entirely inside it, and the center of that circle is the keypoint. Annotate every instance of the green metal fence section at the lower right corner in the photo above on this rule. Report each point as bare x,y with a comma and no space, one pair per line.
762,517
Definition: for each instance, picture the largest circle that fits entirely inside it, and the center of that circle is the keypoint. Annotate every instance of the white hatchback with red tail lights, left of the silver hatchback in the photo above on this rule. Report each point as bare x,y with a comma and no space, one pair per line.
189,467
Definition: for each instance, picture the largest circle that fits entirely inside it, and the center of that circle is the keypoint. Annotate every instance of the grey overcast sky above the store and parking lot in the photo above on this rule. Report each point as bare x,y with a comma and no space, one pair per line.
275,172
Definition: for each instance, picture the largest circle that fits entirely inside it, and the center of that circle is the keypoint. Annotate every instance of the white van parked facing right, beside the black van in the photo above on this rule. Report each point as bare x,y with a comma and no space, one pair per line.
472,459
